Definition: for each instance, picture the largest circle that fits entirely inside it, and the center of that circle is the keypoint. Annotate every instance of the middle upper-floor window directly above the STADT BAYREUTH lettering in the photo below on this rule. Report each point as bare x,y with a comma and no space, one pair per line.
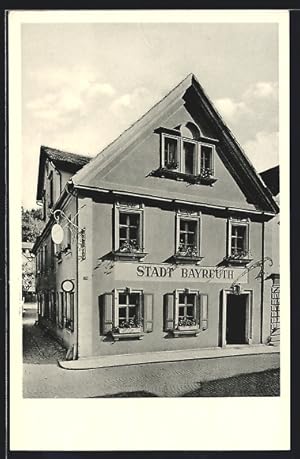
188,236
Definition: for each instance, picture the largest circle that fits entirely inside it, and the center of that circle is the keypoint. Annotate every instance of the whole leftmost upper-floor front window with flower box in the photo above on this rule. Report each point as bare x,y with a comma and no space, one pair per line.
129,231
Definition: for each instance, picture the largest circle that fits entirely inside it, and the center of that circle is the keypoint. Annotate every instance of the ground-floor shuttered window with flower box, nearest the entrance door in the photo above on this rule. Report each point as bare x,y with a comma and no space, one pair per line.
185,312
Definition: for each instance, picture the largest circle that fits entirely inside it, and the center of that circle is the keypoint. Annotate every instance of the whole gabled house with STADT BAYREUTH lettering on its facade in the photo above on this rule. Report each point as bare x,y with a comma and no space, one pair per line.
169,217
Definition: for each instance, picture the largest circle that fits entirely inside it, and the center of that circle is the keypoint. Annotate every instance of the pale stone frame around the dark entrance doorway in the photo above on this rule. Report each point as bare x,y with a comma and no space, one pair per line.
249,315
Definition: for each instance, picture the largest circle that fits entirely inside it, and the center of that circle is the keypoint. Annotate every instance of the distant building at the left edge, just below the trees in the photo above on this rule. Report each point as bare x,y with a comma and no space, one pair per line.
28,272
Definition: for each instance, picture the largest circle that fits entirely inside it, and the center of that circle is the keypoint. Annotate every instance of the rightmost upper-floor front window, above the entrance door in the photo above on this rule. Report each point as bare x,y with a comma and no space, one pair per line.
238,250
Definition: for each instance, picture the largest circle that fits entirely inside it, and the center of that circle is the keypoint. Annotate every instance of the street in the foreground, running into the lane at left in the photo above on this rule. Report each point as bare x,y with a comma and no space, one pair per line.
229,376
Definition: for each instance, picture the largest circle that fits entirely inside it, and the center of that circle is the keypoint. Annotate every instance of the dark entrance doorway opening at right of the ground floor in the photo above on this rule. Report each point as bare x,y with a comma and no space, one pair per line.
236,319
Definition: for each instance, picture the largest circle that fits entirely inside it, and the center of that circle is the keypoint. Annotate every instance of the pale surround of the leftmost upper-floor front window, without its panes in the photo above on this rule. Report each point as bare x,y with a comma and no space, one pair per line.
129,208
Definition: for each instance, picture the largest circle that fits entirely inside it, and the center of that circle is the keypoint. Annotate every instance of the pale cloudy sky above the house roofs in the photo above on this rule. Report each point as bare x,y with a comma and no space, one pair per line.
84,84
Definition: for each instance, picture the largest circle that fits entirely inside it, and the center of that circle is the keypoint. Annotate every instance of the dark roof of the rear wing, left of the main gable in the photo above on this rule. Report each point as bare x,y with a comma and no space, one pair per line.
62,160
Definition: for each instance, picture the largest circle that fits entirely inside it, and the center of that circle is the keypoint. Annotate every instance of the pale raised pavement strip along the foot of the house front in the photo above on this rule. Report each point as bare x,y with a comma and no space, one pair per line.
105,361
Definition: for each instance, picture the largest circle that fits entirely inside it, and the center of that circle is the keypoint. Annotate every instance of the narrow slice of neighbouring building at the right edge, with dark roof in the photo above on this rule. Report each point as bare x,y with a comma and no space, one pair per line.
271,179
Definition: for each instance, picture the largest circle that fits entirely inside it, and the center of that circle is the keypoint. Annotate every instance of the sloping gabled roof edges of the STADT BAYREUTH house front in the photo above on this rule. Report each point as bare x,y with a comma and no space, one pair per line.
235,159
